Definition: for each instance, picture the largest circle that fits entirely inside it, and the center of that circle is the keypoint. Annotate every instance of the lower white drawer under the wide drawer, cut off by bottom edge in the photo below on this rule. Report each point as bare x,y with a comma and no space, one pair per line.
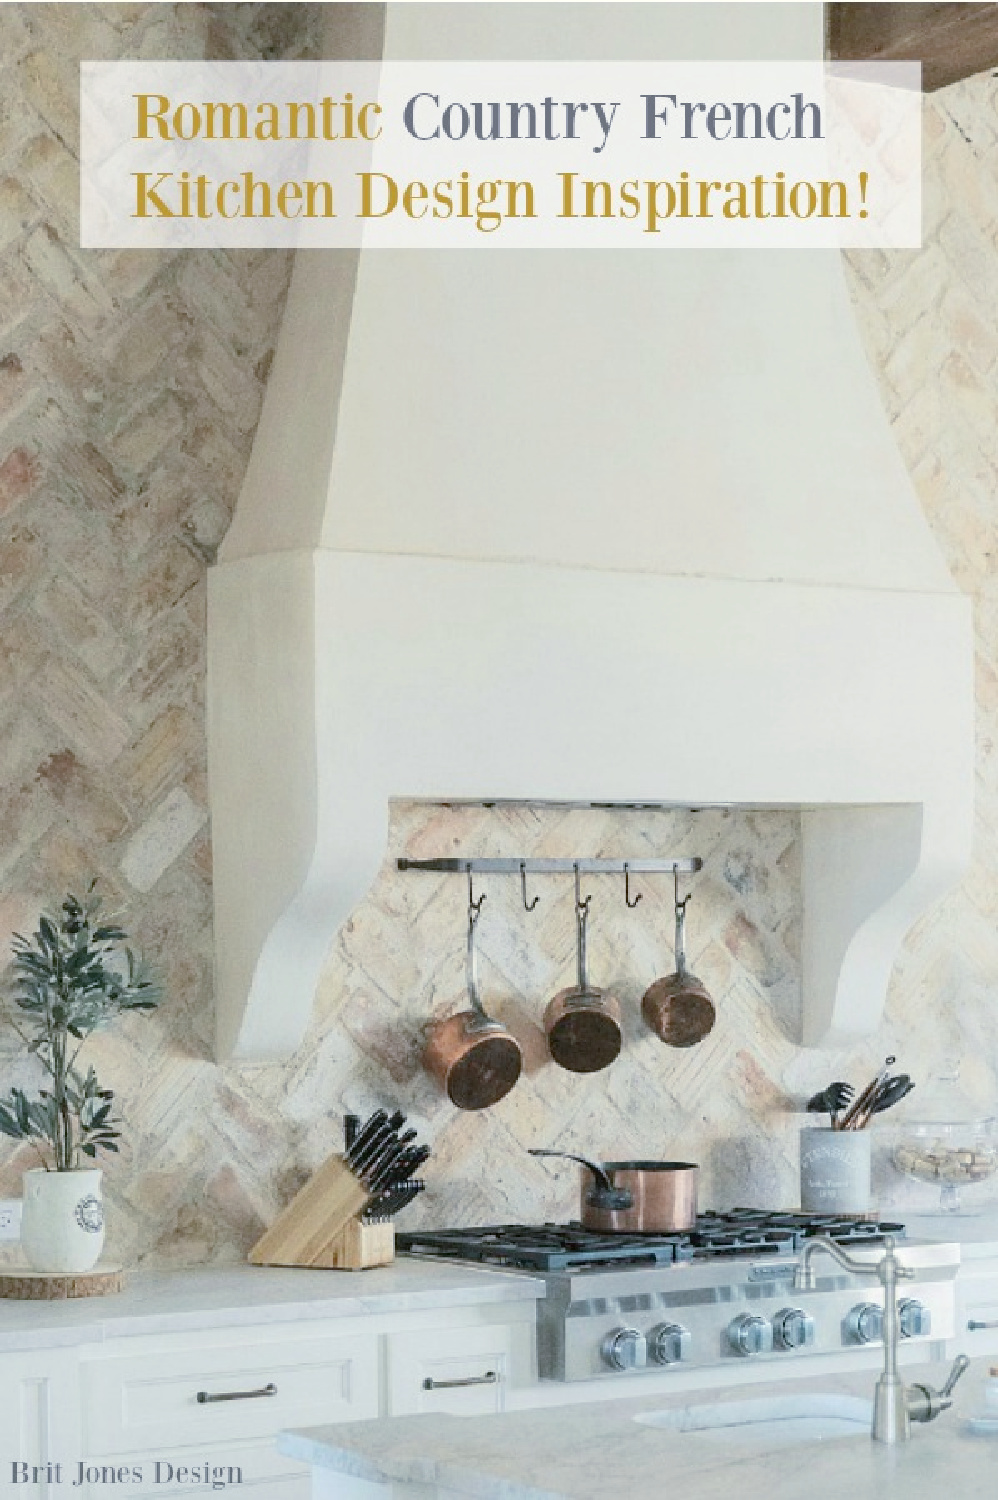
256,1469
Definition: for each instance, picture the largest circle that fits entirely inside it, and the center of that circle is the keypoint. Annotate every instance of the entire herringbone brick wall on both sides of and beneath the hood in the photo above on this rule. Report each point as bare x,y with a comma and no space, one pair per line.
130,389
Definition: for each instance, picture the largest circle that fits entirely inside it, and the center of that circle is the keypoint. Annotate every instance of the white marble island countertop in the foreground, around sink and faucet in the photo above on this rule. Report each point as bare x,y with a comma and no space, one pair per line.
597,1448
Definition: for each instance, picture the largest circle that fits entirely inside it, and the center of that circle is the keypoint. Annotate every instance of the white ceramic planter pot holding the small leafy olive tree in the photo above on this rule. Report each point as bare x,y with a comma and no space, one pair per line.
62,1220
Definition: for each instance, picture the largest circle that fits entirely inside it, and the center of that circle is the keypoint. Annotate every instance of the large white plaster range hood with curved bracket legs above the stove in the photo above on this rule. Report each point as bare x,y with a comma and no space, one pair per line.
595,527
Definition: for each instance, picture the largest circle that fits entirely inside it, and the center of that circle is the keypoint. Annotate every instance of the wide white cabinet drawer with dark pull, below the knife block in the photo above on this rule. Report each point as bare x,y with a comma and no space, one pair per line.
151,1403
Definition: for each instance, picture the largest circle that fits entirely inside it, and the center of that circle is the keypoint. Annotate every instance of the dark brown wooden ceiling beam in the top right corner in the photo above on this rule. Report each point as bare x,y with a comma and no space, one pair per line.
952,41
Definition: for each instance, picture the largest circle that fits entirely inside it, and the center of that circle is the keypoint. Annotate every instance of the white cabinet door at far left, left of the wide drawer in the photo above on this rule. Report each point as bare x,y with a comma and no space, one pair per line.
40,1421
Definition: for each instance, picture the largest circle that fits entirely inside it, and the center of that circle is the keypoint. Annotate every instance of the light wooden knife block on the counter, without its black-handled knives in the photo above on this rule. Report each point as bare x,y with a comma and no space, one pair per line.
320,1226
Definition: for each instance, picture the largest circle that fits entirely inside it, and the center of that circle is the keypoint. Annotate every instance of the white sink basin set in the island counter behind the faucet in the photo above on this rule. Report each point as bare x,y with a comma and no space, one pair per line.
771,1421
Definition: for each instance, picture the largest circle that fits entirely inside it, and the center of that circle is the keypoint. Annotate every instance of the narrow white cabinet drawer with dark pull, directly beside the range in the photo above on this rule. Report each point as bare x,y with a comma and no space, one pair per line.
461,1370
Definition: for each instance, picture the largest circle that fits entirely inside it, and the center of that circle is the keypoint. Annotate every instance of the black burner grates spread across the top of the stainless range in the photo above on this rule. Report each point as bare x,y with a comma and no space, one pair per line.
570,1247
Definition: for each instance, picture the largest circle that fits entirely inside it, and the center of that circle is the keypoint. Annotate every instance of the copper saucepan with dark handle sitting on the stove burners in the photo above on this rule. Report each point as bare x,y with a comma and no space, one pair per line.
636,1198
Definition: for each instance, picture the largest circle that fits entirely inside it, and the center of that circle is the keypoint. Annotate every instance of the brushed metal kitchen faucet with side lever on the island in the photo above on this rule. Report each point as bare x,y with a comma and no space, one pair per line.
895,1405
